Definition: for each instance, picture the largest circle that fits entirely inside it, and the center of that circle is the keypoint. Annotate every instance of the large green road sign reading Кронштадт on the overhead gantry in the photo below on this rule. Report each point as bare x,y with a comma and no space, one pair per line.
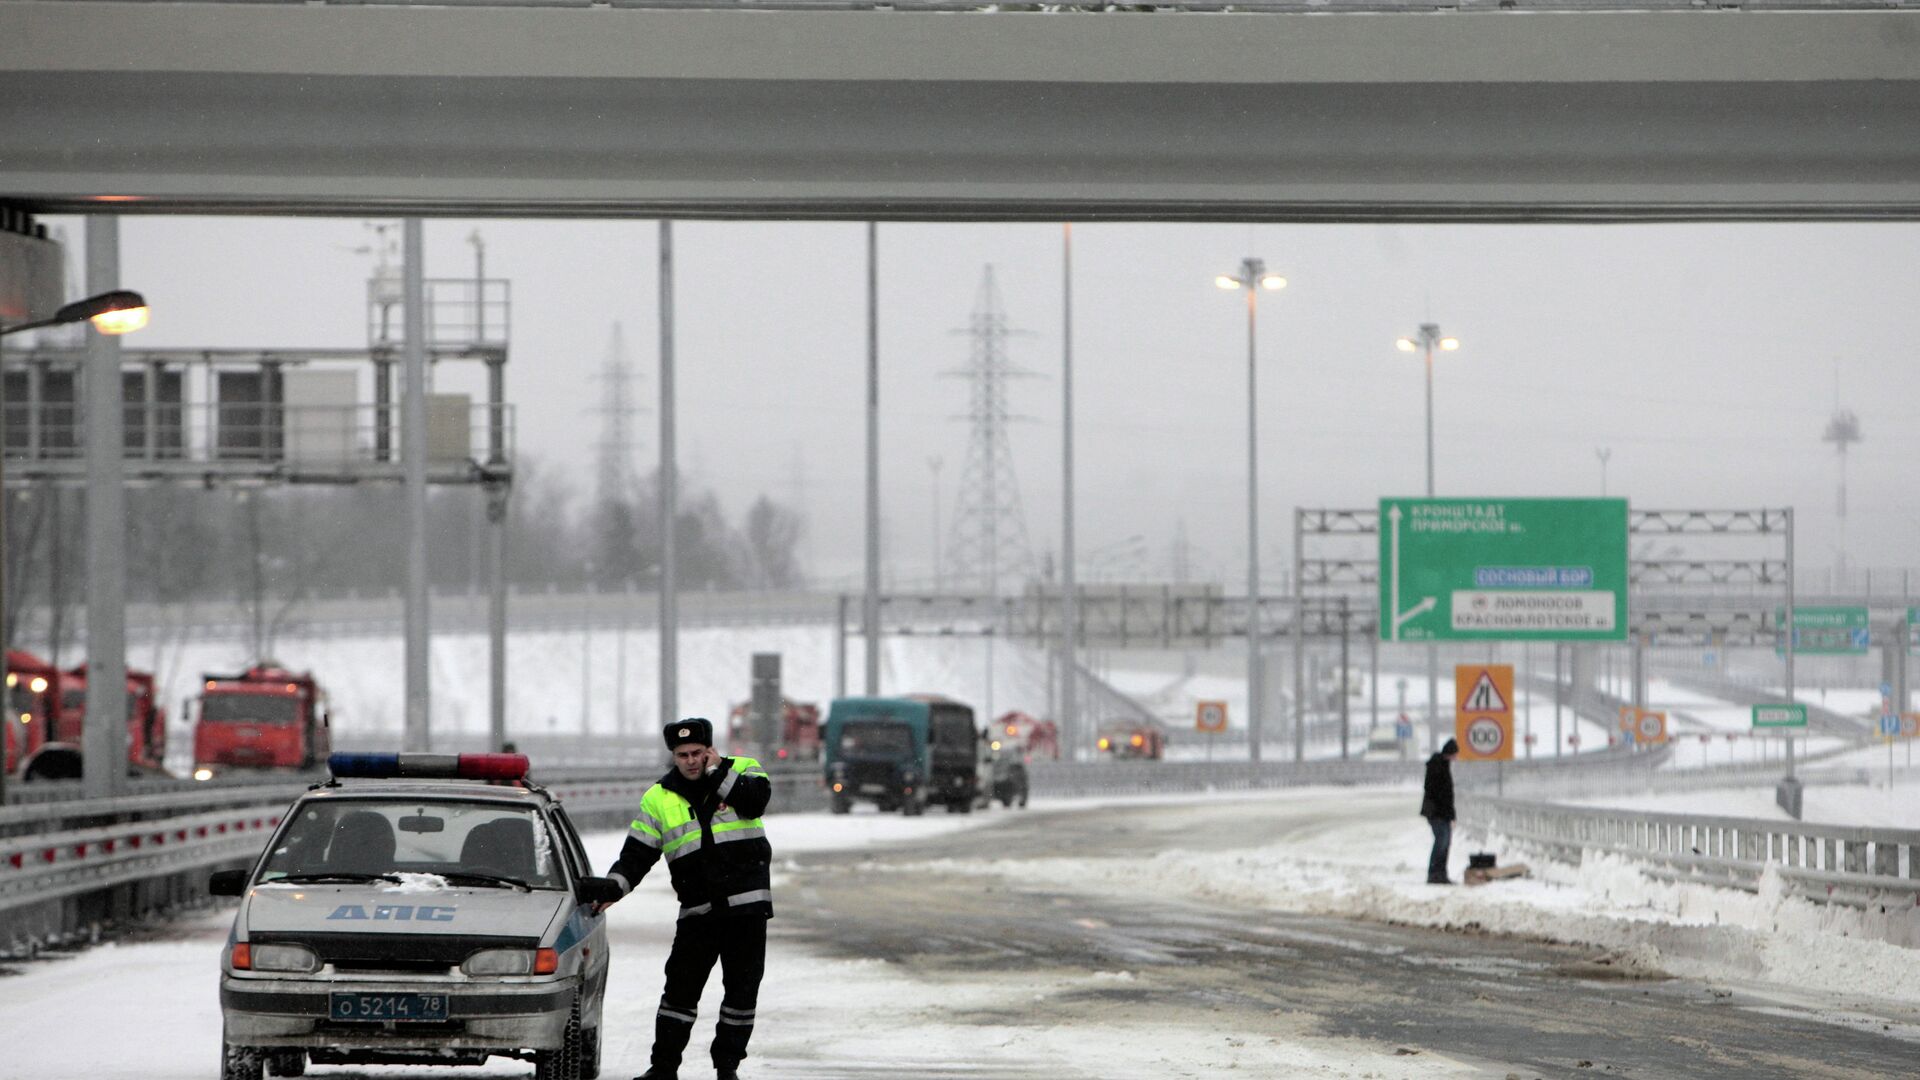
1504,570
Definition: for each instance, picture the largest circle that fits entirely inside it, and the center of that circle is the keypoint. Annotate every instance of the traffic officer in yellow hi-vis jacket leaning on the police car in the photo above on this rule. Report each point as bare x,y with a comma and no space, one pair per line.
704,816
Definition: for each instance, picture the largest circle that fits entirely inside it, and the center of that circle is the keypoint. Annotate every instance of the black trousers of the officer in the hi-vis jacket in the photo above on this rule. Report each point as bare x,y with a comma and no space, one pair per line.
740,946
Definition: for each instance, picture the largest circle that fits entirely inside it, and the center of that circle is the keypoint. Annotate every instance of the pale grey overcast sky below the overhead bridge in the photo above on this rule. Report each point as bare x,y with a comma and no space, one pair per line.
1704,356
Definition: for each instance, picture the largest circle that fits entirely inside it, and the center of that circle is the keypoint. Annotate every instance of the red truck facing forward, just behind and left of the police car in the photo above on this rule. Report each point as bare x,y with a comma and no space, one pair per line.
266,718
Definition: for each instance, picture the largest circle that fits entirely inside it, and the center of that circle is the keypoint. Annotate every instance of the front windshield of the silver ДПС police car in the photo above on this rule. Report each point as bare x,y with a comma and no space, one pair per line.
466,843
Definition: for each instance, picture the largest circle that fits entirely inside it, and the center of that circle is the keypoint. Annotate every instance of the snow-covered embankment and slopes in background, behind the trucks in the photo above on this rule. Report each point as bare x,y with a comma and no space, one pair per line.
604,681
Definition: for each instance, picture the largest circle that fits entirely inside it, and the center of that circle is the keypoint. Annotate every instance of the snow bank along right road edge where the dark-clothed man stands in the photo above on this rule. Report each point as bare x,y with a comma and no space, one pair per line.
1374,868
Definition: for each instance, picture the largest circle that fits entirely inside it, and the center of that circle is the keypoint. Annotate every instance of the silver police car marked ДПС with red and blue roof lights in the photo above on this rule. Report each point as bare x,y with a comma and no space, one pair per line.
408,912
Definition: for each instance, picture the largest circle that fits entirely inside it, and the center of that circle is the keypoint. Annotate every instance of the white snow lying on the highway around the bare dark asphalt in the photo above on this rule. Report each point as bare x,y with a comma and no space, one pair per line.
823,1016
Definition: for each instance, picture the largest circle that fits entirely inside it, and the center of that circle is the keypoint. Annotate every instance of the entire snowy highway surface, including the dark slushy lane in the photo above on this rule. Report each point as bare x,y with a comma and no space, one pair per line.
1280,935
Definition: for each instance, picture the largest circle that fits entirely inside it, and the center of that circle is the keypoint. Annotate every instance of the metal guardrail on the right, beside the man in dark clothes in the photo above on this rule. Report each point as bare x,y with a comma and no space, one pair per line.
1819,862
